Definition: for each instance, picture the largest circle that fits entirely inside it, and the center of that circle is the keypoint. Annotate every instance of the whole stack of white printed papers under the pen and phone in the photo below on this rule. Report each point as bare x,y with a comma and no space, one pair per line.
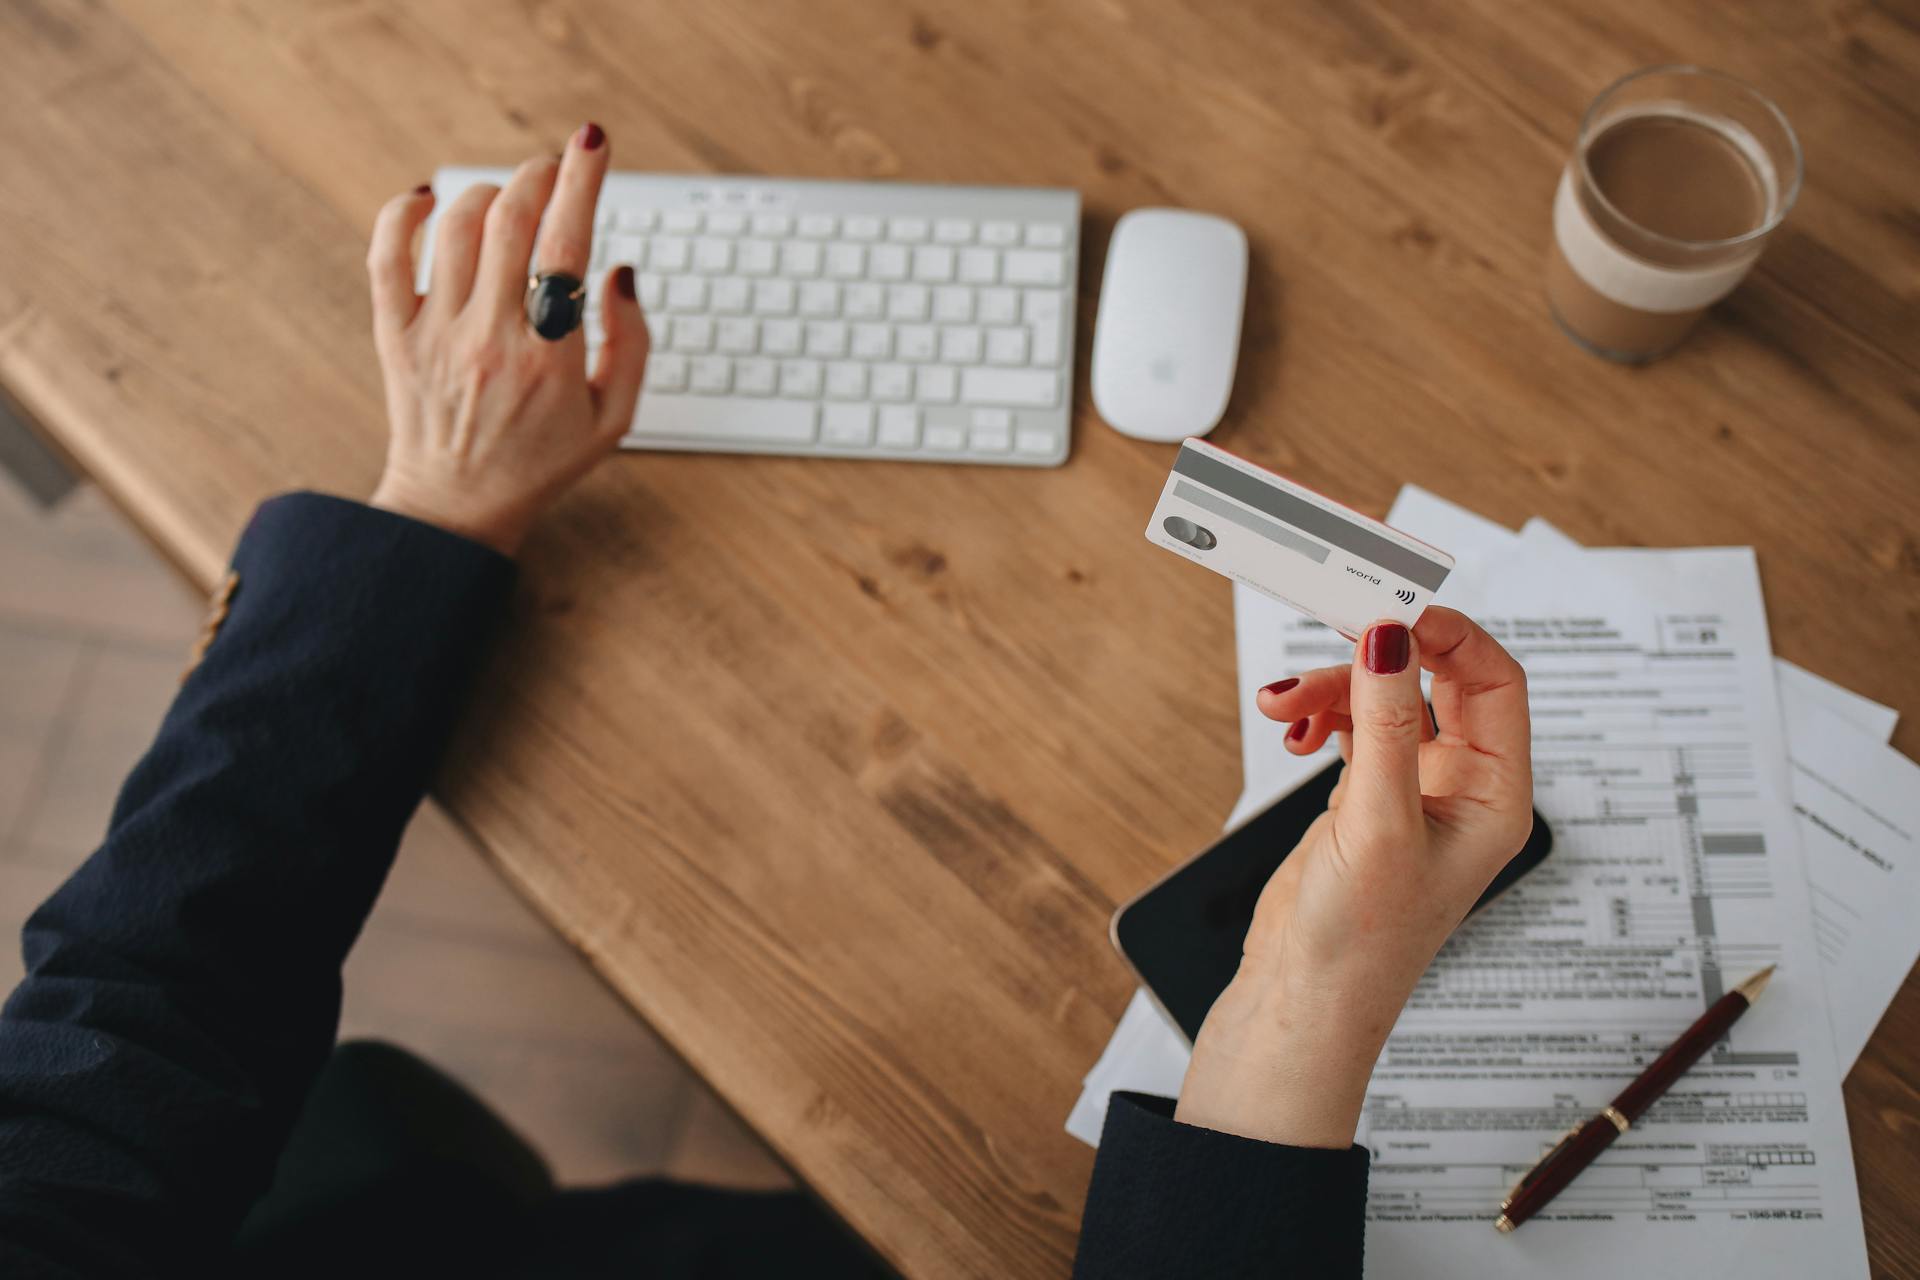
1714,811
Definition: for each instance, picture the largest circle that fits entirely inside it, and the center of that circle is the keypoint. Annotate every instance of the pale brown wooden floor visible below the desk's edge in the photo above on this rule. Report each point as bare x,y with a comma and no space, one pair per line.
454,966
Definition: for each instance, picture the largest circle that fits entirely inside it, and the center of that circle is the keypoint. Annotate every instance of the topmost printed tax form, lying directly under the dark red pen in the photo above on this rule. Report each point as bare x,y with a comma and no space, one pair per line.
1677,872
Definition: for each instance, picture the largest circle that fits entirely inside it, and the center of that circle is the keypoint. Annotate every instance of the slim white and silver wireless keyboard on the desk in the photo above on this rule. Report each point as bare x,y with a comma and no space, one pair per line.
848,320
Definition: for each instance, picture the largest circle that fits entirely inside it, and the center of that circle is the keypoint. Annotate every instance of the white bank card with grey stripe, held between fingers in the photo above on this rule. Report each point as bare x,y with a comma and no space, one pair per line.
1328,561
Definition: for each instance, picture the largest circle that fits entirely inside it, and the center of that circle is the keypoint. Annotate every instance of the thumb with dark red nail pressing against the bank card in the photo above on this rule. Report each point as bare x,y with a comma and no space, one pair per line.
1383,784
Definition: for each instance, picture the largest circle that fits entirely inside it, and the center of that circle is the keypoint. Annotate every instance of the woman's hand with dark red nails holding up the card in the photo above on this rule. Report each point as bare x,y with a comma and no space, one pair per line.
1414,834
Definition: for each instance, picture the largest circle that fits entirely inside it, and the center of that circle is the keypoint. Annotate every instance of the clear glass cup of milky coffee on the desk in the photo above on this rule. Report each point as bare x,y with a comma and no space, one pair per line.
1675,185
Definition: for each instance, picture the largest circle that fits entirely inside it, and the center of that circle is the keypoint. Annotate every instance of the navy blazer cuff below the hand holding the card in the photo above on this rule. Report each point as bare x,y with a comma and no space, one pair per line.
1178,1200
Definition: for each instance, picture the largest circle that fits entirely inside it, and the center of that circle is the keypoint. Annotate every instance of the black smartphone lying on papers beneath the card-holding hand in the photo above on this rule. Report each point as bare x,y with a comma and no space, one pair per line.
1184,936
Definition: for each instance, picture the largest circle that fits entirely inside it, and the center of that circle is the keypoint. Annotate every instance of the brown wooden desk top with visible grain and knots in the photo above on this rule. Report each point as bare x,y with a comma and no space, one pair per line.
836,770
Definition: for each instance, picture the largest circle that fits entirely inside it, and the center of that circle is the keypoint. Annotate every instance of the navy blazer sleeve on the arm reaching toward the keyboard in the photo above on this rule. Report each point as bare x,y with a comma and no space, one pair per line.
183,987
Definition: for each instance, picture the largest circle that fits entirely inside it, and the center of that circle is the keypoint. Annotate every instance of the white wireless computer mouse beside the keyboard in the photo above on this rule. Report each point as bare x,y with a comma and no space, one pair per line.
1168,333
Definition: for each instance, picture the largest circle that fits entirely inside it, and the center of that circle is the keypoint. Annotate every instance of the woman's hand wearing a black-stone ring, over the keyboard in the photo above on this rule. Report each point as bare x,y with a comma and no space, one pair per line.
491,423
